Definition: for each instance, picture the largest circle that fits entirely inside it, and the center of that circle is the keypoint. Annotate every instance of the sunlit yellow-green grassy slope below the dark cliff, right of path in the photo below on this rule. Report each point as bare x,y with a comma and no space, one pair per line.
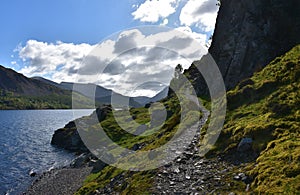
266,107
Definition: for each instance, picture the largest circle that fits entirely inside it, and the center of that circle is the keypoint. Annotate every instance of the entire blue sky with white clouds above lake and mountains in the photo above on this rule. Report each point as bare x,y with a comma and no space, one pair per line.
130,46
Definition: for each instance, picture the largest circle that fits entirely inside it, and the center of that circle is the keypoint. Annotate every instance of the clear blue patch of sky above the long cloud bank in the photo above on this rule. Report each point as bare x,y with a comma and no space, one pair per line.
79,21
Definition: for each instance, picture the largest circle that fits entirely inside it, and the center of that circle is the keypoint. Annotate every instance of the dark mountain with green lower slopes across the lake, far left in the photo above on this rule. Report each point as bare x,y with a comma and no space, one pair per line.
20,92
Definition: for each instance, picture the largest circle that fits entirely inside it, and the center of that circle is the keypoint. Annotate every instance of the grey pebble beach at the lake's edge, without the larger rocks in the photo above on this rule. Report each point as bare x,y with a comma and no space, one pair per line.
63,181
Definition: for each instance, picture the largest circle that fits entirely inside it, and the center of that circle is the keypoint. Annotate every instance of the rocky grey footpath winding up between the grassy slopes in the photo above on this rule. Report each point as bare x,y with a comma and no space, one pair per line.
191,174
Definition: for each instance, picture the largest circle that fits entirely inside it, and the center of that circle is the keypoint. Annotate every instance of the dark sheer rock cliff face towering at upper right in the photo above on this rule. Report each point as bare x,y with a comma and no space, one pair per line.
249,34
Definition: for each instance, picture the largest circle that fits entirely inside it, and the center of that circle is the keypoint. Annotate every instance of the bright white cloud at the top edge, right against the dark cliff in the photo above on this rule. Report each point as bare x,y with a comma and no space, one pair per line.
201,13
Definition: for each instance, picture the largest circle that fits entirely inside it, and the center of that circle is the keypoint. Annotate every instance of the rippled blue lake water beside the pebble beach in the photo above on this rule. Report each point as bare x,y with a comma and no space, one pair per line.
25,137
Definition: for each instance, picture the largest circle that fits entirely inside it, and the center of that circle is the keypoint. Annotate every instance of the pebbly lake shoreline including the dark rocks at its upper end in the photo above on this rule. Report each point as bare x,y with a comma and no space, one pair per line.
67,179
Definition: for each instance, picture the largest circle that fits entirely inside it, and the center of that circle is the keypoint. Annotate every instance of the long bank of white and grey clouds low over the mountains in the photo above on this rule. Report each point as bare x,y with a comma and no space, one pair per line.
122,64
